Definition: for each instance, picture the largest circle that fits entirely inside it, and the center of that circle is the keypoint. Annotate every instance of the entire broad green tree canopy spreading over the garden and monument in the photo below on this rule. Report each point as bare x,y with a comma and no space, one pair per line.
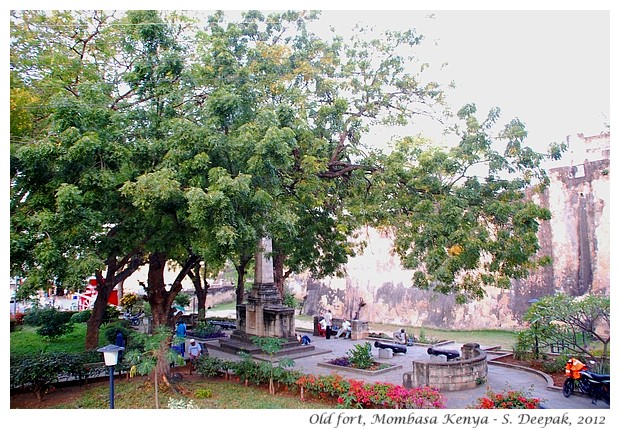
148,137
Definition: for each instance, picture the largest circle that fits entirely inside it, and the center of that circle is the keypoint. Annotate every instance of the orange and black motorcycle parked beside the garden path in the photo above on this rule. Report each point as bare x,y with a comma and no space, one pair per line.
595,386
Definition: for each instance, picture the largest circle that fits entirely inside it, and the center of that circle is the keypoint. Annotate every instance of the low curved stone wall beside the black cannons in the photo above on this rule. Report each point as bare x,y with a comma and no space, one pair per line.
459,374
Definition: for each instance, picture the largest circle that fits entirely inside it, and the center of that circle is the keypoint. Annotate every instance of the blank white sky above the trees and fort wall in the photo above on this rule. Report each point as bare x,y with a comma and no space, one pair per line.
551,69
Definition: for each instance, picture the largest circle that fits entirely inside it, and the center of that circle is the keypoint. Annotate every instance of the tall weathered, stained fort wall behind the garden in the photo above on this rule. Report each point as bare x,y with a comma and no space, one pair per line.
577,238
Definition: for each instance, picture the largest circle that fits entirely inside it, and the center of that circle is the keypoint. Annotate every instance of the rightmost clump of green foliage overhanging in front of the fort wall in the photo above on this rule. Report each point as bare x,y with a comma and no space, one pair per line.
433,205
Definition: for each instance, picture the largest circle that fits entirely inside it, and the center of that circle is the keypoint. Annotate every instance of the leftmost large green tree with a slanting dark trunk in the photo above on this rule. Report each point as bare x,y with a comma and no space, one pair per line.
68,220
